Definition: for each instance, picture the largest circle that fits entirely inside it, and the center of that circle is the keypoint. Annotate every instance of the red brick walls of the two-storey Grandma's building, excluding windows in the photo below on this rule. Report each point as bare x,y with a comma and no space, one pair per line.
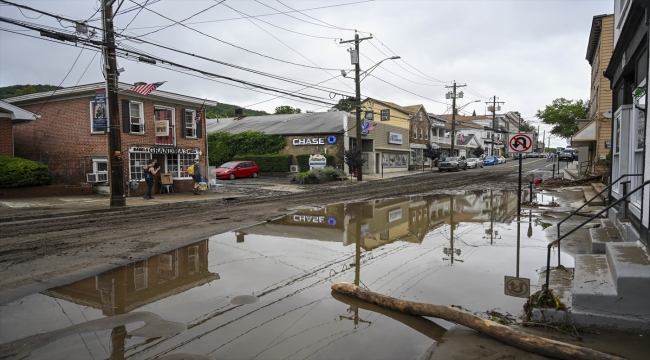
62,138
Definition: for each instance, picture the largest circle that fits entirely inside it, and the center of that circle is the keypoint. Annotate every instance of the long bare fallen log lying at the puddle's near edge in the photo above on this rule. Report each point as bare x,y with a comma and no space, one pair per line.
532,343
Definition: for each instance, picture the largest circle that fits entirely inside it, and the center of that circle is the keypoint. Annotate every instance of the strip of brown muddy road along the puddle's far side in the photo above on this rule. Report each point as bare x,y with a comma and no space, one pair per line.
39,250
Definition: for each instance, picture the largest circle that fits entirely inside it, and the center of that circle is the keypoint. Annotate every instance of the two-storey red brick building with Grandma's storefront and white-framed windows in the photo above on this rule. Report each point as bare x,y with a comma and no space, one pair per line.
75,149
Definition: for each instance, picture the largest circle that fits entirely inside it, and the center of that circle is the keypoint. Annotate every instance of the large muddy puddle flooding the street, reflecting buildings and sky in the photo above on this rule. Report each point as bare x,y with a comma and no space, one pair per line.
264,292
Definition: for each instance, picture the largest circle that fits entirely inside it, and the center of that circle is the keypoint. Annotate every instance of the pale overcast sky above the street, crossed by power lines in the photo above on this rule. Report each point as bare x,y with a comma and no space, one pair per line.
527,53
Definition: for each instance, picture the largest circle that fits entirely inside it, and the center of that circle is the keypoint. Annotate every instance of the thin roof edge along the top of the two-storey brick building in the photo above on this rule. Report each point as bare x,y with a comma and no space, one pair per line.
123,88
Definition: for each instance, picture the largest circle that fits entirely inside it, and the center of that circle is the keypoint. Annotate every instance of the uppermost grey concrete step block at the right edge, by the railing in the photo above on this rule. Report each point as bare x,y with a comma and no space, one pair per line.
630,266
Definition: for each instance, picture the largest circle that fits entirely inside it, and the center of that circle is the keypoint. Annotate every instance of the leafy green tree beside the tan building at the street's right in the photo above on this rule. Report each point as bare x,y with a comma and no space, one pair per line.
562,114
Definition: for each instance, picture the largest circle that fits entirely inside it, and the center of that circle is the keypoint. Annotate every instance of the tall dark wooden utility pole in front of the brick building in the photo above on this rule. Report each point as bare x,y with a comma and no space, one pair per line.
115,161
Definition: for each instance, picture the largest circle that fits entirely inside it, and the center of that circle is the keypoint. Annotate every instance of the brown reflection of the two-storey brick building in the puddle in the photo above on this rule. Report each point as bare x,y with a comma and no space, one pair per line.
128,287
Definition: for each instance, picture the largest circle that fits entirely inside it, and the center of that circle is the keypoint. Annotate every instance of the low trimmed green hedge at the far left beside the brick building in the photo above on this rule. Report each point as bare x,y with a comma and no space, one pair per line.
19,172
